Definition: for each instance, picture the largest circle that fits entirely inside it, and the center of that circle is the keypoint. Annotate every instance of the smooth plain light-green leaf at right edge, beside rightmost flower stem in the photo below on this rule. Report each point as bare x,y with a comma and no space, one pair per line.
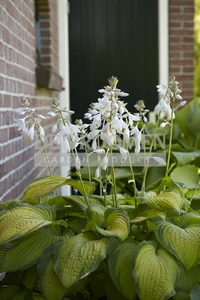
187,175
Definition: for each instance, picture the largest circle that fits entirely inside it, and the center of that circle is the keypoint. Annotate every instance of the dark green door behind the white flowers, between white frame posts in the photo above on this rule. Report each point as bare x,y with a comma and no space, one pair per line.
113,37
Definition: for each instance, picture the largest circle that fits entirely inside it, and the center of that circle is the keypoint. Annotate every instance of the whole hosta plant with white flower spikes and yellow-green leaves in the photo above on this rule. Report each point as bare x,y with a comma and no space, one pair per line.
128,231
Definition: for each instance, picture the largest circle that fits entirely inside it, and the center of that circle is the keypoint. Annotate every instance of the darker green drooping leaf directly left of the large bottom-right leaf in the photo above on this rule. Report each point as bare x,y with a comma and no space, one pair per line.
120,264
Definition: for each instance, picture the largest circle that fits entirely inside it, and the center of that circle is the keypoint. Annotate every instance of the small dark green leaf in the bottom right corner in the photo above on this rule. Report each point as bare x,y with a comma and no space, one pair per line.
189,278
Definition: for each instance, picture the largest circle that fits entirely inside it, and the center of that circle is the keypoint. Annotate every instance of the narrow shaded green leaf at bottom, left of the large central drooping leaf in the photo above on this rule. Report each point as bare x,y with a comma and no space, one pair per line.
49,282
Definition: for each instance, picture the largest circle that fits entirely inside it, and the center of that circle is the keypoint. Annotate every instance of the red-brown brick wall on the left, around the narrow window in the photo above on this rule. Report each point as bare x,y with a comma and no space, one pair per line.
17,80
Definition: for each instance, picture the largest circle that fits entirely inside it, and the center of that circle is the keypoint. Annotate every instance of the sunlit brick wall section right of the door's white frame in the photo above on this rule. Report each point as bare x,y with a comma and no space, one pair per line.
181,44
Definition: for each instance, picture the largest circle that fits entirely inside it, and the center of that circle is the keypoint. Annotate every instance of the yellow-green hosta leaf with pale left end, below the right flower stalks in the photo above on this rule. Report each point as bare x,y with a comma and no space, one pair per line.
168,201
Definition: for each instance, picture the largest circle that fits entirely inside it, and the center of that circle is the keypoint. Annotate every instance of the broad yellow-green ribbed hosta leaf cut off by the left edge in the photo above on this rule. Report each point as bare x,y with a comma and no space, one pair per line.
18,220
